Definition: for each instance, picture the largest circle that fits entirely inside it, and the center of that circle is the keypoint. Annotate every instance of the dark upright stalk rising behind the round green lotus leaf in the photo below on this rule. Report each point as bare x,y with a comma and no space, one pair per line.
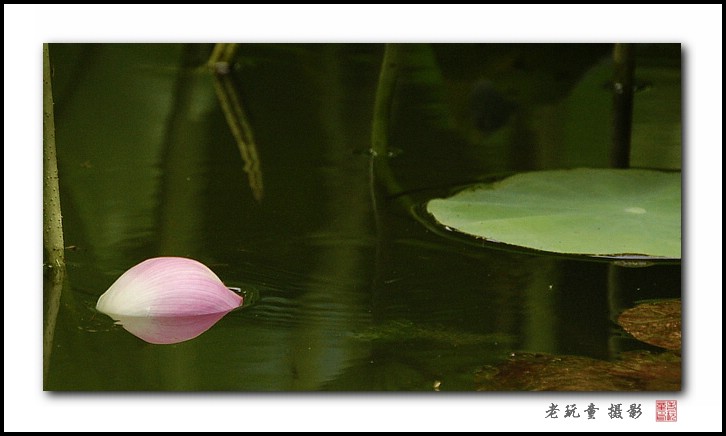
623,83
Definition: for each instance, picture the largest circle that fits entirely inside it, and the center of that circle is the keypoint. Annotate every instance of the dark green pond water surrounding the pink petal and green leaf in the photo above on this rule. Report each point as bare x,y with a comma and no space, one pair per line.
345,293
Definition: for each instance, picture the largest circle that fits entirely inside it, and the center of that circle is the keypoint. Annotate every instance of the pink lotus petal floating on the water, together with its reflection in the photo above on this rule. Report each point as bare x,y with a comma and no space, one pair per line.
166,300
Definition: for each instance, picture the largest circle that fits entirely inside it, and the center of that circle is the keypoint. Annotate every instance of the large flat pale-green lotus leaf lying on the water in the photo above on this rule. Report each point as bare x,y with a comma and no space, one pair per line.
597,212
